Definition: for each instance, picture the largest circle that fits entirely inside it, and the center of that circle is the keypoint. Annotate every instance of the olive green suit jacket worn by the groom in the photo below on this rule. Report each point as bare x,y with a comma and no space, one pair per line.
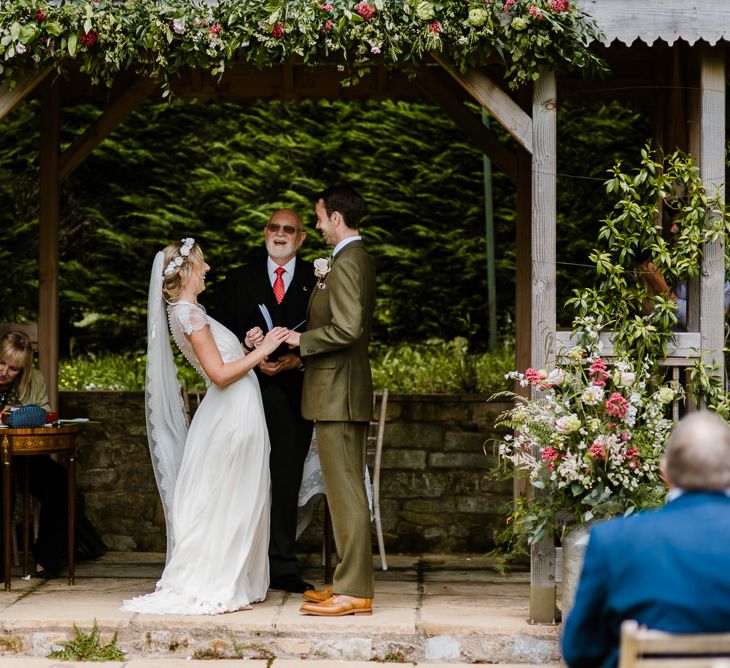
338,383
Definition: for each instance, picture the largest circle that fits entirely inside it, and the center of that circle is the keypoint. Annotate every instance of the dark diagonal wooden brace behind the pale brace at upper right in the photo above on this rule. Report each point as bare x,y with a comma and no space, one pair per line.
432,86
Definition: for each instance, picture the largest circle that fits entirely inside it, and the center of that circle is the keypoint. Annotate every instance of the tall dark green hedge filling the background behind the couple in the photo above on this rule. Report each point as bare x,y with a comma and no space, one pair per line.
216,172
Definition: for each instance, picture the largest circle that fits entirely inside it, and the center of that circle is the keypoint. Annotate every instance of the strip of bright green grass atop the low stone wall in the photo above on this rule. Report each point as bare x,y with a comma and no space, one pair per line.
433,367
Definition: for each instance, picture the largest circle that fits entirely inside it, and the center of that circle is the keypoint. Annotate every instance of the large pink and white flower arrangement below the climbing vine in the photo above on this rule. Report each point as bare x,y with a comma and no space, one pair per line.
591,439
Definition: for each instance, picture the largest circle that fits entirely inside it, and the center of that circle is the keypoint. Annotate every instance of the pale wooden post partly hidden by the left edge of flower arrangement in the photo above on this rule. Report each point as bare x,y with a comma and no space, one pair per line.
542,344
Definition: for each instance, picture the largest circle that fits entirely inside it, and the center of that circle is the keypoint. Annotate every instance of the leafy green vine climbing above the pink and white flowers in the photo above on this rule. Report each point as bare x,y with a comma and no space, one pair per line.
641,322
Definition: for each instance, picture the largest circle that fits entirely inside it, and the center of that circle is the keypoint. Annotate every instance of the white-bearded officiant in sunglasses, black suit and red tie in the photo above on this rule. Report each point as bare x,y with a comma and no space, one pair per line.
274,290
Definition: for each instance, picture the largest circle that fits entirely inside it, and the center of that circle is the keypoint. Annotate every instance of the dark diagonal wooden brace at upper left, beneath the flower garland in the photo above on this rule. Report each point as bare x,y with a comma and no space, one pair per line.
85,143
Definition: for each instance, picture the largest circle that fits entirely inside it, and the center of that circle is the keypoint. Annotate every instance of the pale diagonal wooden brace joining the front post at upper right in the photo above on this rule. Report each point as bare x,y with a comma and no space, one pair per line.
492,98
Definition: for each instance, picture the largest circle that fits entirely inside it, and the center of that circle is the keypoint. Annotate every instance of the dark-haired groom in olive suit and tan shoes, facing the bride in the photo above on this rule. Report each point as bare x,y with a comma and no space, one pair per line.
338,395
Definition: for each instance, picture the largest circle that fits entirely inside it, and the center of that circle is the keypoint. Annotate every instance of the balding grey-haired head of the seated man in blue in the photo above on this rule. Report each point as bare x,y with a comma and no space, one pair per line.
697,457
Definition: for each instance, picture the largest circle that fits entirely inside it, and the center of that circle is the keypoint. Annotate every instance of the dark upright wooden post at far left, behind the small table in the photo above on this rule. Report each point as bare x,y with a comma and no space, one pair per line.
49,227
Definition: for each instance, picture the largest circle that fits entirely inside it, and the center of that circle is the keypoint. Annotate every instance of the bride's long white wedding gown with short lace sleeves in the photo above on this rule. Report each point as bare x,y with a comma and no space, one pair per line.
220,507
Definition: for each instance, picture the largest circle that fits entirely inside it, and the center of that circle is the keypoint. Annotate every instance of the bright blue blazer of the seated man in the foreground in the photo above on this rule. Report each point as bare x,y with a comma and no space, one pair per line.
668,569
